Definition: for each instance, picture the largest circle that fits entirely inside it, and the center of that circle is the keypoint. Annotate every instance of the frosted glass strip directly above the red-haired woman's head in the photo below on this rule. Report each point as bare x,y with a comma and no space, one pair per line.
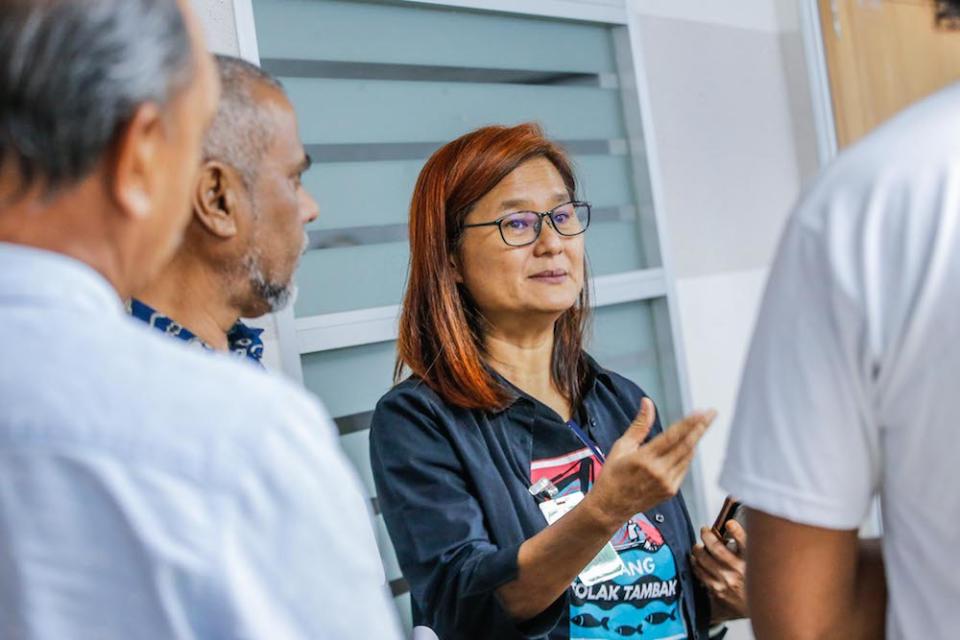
376,111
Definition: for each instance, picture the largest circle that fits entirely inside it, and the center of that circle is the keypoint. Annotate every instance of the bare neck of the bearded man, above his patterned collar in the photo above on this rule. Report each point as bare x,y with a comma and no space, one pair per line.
196,298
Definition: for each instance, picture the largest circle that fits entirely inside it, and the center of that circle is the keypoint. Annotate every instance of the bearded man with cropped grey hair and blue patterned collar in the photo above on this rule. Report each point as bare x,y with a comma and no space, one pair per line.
246,234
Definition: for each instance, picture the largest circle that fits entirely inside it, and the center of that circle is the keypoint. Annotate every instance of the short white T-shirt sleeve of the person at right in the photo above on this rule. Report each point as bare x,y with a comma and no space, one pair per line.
804,445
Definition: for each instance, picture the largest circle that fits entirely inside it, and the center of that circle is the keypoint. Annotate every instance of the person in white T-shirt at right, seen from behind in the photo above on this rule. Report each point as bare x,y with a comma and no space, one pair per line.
848,394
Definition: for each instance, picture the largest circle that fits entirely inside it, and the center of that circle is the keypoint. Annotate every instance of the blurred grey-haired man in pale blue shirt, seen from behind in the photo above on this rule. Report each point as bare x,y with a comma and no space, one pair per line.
146,490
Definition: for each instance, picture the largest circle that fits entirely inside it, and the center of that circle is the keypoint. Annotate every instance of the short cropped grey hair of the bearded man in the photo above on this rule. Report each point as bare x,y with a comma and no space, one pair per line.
239,134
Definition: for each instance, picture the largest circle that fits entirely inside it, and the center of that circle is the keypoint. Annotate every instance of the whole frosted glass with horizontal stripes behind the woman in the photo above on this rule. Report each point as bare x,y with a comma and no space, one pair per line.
402,79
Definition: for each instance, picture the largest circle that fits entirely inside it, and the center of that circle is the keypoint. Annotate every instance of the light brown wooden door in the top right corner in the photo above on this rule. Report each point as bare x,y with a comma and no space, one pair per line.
883,55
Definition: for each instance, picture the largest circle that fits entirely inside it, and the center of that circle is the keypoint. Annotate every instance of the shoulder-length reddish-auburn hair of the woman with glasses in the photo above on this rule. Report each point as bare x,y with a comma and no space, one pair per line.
441,336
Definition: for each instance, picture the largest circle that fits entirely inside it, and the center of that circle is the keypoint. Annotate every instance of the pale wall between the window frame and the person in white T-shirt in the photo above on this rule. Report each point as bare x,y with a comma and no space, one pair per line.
735,140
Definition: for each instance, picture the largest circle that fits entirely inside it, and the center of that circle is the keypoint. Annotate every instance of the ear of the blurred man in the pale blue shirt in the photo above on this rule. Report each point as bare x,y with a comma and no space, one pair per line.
135,168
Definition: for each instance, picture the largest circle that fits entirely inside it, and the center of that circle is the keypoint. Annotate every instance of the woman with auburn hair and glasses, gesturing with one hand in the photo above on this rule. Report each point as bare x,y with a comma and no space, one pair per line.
505,423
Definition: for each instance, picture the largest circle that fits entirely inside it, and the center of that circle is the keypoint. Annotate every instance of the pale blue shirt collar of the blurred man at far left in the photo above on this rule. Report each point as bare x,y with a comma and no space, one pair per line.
47,277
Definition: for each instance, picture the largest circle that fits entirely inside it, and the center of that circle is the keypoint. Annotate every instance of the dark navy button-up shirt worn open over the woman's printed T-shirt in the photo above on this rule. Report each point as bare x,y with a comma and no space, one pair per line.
453,486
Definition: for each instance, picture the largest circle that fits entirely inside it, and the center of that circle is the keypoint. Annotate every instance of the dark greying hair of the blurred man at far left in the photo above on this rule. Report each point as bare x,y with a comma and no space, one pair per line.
73,73
